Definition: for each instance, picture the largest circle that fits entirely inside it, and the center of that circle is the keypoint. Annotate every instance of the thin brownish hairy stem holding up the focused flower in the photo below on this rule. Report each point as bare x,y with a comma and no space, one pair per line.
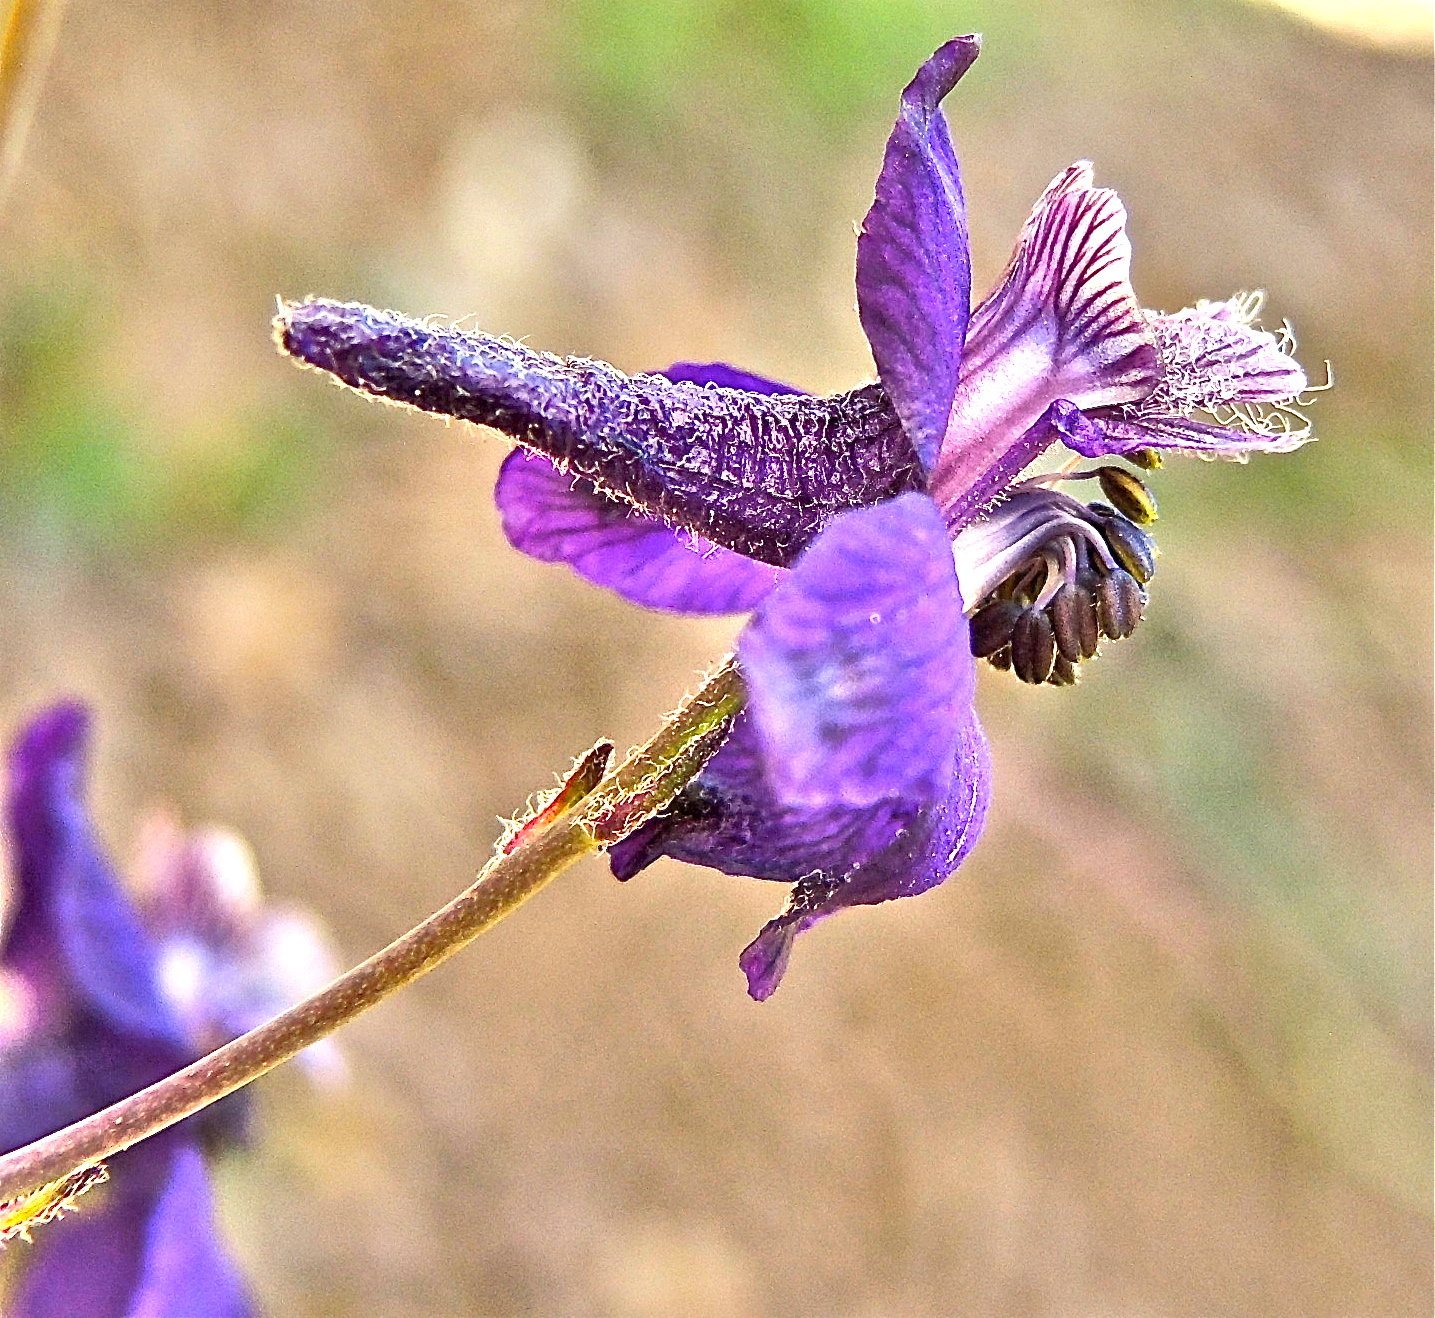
628,796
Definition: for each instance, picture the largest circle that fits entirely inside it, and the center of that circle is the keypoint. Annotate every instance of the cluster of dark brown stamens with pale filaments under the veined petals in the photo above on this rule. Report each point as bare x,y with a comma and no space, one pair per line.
1047,576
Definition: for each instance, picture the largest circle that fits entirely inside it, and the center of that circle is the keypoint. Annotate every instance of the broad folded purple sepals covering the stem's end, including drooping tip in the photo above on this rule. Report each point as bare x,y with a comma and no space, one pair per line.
859,772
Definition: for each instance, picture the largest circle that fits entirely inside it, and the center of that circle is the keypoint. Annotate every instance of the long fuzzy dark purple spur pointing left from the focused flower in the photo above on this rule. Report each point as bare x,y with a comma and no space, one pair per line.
757,473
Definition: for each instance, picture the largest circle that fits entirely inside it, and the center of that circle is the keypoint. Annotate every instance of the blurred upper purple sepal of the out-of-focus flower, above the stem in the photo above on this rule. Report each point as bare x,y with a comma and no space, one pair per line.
74,925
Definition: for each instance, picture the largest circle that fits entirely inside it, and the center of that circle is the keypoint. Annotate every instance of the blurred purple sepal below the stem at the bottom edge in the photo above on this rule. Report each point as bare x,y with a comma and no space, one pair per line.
146,1250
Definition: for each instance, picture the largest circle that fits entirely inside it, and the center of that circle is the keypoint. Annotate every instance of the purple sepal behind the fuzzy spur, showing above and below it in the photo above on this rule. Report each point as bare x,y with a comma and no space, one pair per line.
562,519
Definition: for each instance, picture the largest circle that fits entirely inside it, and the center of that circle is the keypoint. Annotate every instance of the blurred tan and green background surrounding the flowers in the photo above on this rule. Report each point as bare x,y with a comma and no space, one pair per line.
1163,1046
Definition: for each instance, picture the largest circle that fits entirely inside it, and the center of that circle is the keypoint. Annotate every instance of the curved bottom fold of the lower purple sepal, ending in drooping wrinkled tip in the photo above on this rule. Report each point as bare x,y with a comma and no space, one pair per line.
925,855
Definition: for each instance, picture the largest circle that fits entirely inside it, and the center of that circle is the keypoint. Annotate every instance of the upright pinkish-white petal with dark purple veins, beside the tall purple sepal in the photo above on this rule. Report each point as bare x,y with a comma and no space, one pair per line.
1064,324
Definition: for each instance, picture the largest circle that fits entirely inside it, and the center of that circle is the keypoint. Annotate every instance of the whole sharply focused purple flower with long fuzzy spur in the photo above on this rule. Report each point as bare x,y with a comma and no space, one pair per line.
883,538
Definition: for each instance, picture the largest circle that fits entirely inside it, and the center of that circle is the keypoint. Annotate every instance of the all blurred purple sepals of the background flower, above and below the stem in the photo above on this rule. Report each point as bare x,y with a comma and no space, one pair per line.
85,1024
